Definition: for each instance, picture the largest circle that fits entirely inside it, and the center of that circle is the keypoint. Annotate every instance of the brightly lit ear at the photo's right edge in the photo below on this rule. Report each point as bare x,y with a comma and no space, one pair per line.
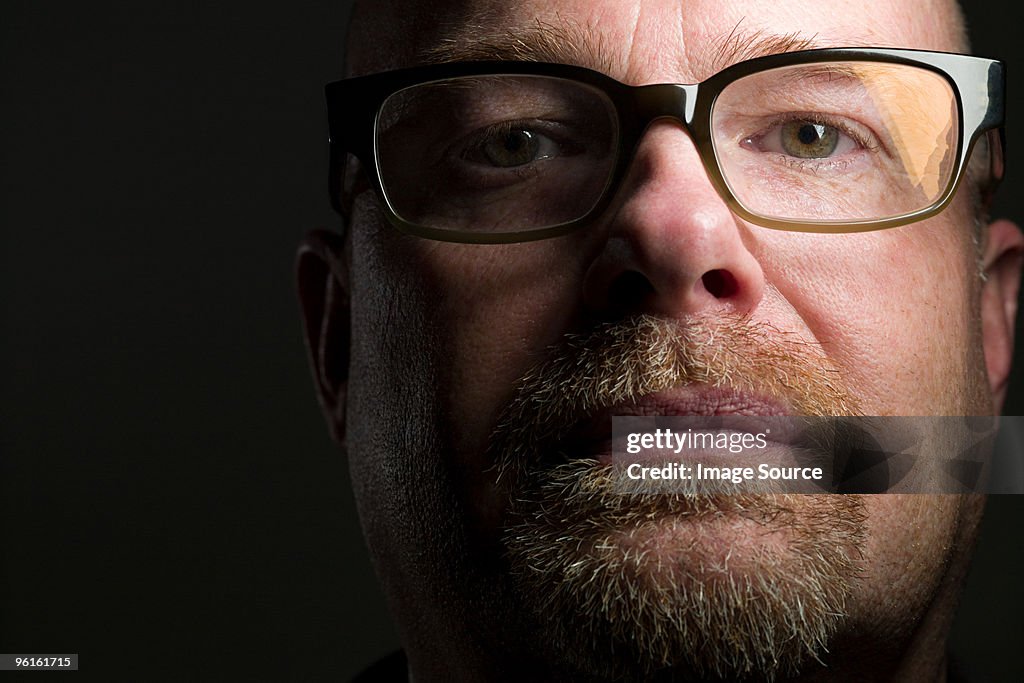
1002,261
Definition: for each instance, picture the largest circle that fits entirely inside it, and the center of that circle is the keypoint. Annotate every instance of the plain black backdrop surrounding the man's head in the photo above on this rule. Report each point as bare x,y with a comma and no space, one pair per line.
172,507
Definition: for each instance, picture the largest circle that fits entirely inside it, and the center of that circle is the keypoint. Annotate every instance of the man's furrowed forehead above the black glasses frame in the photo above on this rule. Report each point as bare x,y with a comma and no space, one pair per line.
639,40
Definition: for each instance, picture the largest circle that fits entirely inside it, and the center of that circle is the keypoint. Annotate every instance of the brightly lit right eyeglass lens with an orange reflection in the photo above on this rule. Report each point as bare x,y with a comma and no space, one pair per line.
837,142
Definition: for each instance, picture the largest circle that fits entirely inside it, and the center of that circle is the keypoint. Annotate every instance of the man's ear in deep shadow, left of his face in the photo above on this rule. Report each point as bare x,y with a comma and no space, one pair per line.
322,271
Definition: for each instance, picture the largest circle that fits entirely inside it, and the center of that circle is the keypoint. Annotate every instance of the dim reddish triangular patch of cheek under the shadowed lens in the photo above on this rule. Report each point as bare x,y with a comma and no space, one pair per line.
496,309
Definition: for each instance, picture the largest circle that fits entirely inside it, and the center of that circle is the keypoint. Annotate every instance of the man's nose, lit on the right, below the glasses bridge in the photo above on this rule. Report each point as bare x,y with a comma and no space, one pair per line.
673,247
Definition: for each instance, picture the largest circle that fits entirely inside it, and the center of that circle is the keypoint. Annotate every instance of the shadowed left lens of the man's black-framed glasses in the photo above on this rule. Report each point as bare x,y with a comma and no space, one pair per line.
496,154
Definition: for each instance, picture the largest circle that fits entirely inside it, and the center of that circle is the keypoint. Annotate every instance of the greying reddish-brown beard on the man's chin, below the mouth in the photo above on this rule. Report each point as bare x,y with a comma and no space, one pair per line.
712,586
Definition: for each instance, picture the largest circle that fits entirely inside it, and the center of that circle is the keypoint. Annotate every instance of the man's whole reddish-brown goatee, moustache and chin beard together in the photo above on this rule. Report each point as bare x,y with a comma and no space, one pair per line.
646,585
